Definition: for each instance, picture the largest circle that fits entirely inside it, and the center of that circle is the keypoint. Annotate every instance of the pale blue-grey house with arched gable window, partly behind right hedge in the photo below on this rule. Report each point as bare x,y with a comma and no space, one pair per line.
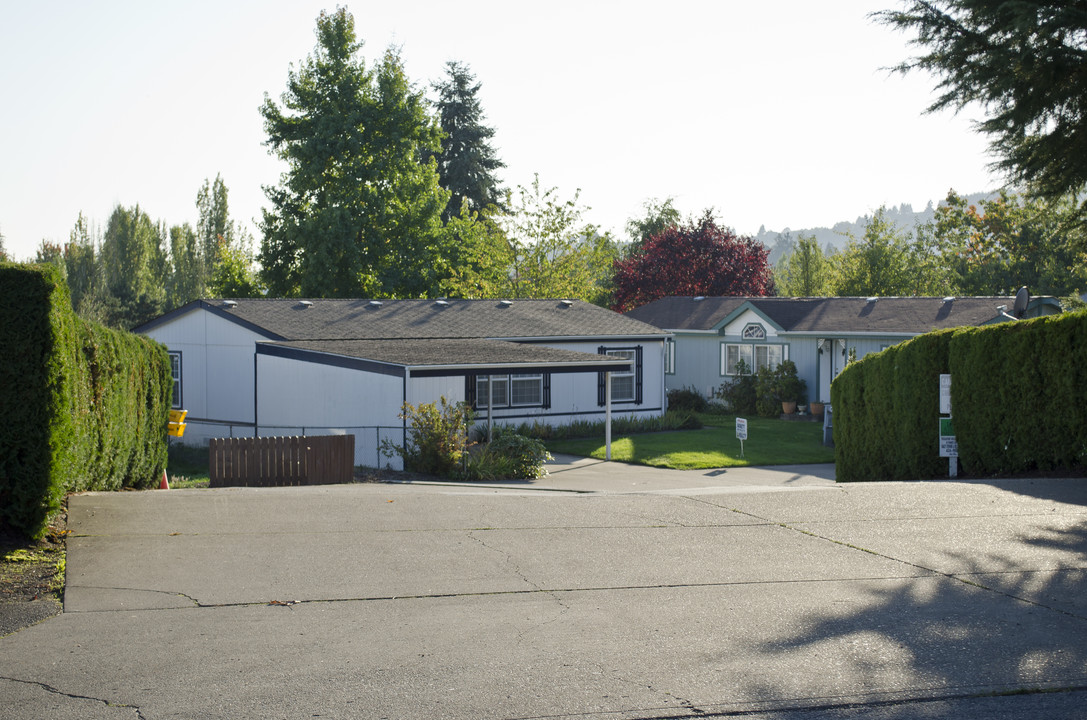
711,334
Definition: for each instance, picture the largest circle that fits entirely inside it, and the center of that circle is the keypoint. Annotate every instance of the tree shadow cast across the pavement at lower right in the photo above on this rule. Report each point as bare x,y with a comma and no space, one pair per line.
1013,622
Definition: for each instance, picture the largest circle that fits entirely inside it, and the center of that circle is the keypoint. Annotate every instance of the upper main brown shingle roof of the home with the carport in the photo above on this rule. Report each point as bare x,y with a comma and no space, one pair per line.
345,319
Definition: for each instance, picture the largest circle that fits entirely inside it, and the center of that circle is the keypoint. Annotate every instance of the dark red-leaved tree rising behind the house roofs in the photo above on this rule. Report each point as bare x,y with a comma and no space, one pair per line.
698,258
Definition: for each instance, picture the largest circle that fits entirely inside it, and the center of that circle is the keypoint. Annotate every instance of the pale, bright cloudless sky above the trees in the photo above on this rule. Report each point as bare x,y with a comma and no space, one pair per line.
778,115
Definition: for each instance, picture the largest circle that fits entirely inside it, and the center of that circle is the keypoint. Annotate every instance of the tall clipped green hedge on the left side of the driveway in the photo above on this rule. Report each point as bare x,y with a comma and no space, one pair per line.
82,407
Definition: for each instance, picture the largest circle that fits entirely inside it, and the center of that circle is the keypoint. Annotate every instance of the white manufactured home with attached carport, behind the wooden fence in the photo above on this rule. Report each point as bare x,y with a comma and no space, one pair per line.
286,367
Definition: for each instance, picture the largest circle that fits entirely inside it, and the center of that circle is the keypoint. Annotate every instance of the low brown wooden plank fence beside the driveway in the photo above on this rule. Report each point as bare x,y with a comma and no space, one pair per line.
269,462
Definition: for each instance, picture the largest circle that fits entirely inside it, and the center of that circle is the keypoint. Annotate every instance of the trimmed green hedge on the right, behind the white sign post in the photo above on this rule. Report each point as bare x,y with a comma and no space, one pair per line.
1019,396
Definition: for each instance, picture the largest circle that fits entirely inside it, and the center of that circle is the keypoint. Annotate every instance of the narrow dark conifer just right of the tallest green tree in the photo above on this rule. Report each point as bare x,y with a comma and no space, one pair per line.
468,163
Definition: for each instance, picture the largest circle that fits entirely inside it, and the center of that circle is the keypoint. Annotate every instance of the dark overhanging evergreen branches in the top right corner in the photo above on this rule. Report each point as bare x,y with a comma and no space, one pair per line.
1023,63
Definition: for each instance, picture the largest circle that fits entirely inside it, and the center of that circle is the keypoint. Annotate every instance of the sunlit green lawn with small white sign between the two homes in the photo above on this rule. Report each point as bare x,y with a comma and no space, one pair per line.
771,442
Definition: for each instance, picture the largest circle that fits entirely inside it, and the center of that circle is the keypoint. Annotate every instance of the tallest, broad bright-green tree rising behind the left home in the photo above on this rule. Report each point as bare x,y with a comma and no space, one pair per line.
357,213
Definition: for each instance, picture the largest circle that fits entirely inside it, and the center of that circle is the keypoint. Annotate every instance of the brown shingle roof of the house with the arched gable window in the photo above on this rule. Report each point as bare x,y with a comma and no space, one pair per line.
893,316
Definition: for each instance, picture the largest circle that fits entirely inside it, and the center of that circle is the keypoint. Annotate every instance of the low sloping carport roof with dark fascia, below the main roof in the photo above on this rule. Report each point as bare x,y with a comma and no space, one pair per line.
443,357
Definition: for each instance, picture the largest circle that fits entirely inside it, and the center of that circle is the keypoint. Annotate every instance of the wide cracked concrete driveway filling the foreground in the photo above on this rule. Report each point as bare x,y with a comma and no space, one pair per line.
616,593
